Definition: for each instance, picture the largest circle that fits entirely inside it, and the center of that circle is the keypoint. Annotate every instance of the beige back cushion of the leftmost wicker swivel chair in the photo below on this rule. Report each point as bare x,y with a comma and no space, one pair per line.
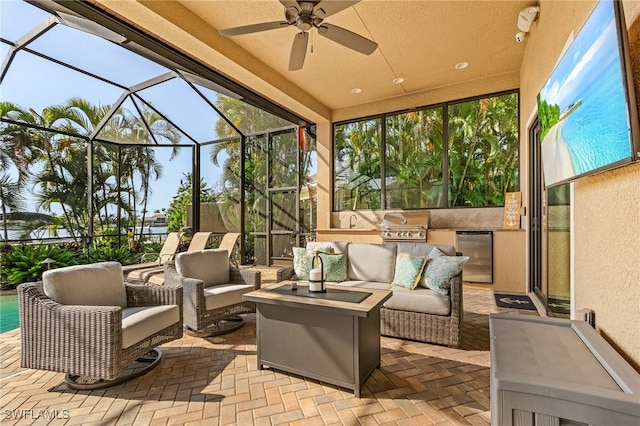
96,284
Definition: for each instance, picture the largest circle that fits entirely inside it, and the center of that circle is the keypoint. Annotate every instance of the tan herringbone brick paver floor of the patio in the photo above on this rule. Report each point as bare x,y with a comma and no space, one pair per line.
215,381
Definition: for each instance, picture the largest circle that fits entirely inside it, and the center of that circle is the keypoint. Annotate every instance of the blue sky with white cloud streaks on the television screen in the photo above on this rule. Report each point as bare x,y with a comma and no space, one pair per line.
593,49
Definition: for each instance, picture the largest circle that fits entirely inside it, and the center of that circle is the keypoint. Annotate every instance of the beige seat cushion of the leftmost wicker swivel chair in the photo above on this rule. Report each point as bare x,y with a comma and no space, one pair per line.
141,322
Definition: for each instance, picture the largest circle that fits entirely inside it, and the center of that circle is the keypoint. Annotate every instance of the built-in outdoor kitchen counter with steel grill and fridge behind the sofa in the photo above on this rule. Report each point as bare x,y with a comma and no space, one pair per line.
504,260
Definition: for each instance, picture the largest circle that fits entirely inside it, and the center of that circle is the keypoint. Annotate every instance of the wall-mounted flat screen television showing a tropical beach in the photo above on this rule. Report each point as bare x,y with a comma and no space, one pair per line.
587,108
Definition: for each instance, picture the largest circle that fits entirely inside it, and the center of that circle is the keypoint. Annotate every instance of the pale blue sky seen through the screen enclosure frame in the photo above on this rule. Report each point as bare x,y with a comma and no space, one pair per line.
36,83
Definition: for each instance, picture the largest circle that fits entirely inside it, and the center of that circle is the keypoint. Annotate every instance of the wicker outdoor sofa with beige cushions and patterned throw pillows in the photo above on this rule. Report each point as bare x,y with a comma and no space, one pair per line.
414,311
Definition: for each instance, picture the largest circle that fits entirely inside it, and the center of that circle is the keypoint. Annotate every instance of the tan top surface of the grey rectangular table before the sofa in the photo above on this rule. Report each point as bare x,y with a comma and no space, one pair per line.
264,295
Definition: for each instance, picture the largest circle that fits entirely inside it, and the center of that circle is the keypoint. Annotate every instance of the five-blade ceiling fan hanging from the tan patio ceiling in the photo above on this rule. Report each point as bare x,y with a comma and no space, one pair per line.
306,14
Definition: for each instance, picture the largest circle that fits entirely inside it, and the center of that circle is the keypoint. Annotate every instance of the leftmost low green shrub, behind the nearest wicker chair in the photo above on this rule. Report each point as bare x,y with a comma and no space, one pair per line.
23,263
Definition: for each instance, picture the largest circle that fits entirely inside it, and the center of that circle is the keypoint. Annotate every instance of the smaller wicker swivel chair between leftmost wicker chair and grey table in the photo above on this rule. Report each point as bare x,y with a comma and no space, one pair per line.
213,291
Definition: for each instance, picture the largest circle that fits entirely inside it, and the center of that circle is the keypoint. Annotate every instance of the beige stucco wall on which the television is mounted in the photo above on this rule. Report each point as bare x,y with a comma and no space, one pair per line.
606,219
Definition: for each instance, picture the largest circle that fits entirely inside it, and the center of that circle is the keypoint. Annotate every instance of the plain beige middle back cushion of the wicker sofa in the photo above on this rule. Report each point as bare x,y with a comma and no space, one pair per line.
372,262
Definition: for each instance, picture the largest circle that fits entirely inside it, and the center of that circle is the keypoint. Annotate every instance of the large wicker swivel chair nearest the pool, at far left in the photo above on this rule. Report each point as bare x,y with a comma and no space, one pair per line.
85,321
